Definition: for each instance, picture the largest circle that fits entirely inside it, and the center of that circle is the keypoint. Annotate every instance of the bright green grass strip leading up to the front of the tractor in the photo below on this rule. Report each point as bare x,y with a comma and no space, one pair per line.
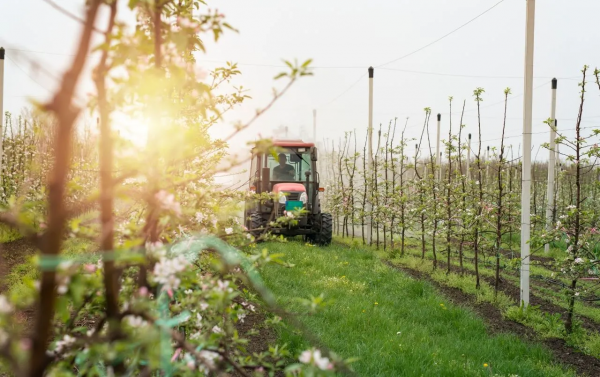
394,324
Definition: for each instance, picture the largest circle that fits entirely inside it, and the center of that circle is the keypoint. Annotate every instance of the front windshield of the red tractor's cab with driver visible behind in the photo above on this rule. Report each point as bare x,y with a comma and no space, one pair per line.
289,165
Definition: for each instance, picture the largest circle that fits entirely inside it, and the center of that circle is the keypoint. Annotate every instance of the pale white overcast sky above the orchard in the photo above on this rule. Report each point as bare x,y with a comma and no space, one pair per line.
344,38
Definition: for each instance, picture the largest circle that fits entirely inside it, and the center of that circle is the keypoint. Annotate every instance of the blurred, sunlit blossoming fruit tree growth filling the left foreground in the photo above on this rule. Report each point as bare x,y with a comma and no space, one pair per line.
124,314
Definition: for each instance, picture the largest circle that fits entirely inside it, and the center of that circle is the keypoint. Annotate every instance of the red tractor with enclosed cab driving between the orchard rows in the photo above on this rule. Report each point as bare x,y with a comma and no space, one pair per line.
289,171
